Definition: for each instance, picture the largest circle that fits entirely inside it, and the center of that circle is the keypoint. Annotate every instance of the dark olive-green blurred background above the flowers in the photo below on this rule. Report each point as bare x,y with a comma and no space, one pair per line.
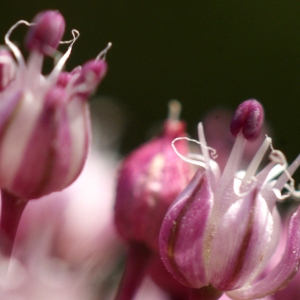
203,53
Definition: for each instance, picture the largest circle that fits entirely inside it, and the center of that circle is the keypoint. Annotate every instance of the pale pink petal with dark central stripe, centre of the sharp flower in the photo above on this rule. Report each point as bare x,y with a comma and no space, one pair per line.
240,242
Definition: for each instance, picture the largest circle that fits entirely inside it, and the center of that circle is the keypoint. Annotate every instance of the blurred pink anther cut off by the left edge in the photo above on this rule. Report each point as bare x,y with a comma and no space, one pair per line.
7,68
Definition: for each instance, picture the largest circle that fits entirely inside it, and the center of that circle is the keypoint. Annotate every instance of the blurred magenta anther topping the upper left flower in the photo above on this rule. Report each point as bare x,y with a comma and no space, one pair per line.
46,33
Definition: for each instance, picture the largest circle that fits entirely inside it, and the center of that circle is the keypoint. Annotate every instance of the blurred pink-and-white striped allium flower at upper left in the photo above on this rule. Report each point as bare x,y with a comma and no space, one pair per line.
44,126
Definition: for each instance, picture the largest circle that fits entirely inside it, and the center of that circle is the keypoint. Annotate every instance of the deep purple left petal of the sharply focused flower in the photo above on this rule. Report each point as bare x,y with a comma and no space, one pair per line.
182,236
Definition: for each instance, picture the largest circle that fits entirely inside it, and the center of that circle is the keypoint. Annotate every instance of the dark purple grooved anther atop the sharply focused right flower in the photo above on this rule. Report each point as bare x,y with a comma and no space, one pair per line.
248,117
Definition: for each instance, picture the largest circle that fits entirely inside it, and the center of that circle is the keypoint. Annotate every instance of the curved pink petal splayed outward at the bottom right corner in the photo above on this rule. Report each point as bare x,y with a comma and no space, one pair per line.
281,275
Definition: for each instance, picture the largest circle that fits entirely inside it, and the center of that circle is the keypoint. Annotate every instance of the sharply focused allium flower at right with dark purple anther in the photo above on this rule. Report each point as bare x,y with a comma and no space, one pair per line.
223,229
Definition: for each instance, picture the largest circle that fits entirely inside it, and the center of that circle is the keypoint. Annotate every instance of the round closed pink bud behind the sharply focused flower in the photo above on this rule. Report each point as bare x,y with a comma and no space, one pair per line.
149,180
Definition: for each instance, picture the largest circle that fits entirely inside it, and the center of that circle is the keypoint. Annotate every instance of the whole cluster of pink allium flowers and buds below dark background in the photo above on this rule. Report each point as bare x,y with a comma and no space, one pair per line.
196,226
